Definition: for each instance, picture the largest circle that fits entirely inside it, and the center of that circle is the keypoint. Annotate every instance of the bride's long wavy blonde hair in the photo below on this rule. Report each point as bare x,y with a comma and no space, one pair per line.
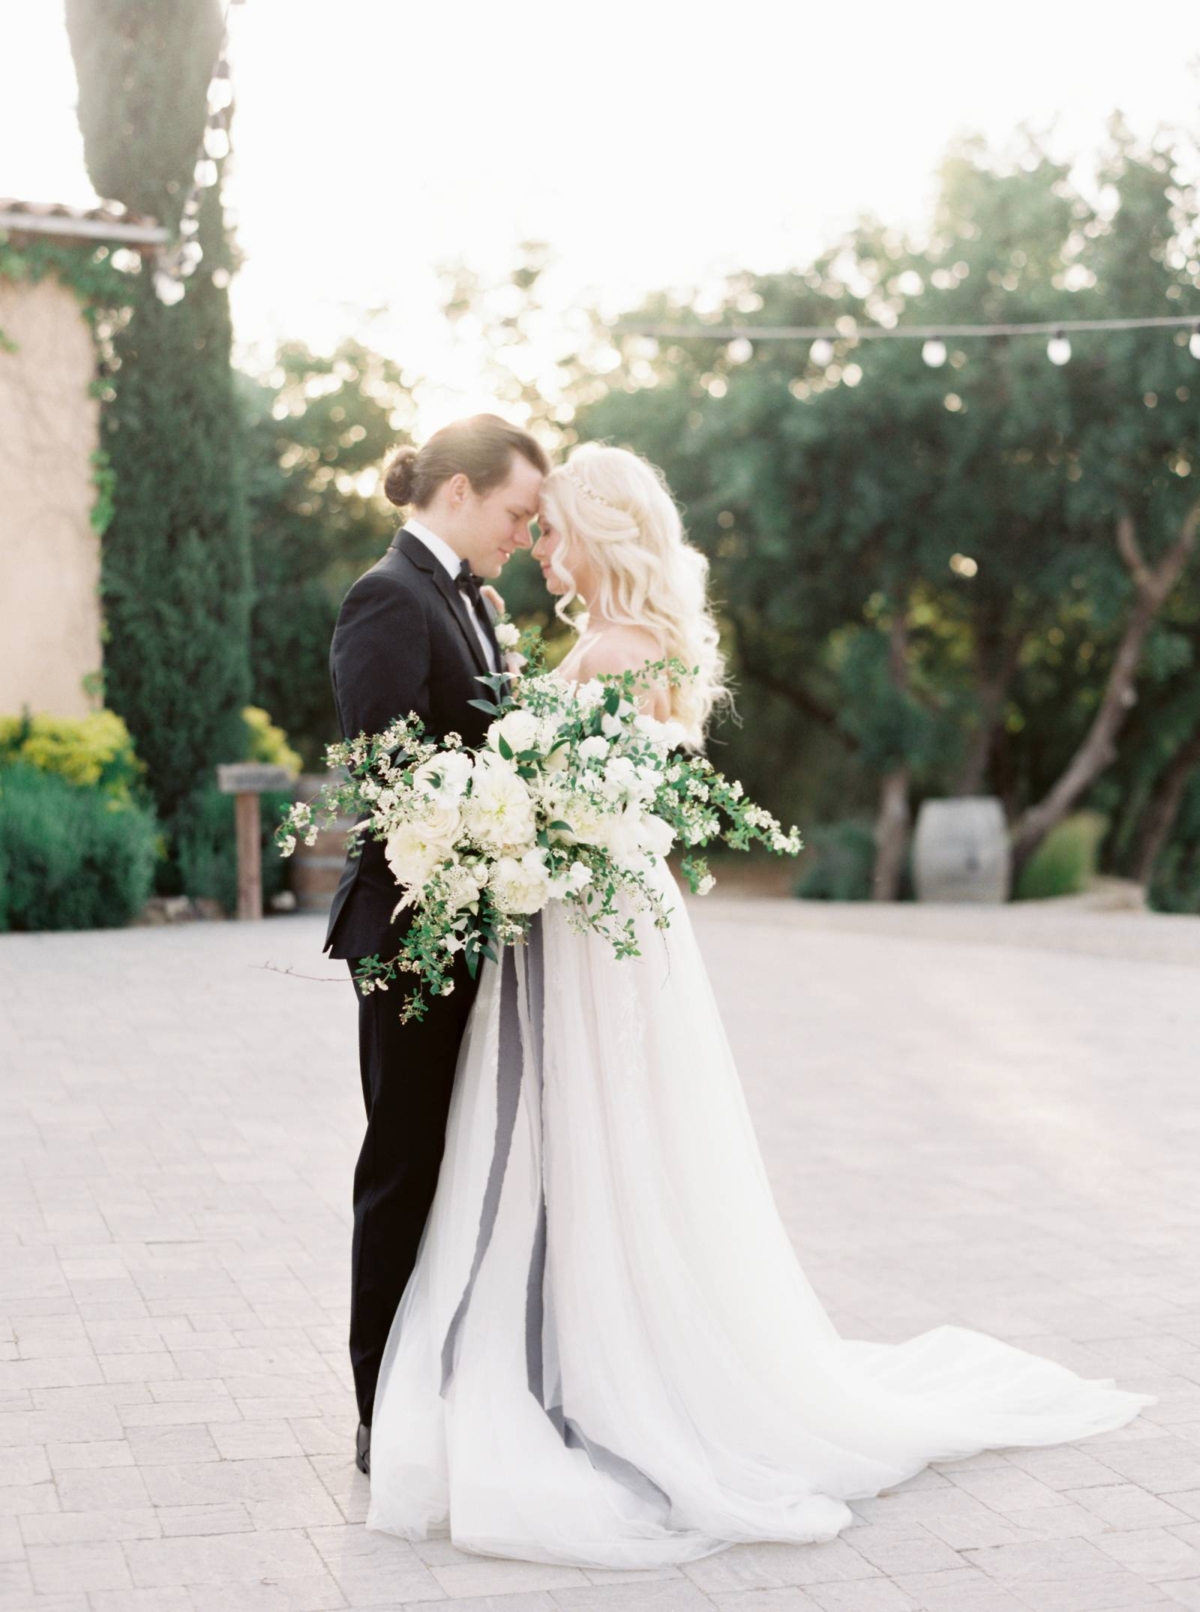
615,509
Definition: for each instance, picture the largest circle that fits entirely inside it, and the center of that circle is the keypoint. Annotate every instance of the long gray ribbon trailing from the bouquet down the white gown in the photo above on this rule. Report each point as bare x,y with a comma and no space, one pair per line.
522,1024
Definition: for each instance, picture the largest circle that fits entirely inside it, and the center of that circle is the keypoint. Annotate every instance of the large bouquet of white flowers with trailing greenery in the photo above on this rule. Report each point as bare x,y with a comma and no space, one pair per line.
570,799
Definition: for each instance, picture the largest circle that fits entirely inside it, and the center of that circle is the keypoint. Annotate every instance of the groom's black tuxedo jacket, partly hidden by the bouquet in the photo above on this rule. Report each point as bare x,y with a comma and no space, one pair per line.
404,642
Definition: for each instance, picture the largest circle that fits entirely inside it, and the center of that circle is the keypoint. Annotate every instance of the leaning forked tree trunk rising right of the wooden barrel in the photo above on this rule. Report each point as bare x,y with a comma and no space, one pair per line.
1099,747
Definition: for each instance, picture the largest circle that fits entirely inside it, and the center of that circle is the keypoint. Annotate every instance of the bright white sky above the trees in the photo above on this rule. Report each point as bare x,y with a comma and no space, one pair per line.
652,143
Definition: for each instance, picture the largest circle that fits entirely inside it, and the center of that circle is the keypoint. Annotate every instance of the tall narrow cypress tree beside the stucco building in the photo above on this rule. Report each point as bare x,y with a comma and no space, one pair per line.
177,565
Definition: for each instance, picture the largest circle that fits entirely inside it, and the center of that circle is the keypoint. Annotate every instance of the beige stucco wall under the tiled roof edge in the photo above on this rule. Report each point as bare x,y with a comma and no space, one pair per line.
49,554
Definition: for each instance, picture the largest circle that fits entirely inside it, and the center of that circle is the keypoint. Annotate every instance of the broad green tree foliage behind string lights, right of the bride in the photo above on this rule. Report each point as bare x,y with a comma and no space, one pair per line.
919,567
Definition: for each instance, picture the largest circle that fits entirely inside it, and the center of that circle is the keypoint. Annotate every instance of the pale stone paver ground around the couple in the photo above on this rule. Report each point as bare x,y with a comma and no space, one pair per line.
985,1120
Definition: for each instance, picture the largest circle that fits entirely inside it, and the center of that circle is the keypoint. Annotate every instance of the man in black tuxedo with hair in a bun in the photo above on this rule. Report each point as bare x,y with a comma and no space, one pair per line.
415,634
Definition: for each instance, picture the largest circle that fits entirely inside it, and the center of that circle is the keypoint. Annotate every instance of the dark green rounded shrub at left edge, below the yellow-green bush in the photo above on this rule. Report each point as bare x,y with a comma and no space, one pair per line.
70,857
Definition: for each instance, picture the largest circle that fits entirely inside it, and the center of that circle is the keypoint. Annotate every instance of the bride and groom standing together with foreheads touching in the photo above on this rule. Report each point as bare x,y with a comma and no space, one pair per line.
580,1332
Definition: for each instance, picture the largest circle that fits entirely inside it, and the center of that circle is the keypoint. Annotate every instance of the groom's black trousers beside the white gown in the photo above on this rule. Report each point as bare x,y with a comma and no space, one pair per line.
409,1073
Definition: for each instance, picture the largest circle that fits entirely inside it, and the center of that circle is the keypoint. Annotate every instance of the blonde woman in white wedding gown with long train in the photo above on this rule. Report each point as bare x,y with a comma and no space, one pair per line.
609,1353
